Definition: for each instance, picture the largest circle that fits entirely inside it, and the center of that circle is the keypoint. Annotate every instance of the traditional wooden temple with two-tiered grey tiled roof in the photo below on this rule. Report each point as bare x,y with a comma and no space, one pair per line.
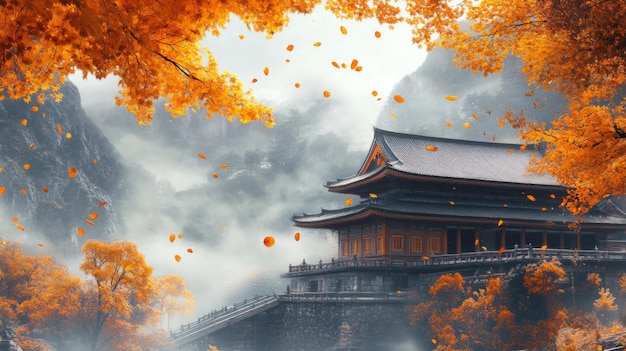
417,198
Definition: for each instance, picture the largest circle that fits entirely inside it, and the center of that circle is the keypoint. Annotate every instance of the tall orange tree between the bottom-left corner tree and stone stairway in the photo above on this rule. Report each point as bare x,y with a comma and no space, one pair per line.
118,302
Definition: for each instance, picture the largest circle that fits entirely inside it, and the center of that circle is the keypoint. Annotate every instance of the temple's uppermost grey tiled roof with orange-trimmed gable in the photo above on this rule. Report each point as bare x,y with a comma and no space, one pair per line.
456,159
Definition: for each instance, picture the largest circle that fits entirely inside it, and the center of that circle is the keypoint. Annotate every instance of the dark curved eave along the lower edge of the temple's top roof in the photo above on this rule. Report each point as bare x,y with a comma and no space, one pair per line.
349,185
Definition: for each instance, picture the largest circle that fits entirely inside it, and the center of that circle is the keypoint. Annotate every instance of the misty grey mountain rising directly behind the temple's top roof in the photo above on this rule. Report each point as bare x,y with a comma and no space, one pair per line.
427,111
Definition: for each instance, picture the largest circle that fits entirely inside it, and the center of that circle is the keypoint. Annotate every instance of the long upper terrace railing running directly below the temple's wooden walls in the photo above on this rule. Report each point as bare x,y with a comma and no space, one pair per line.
522,254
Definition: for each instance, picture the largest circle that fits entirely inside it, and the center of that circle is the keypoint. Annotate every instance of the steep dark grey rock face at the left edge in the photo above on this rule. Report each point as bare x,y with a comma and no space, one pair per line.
36,153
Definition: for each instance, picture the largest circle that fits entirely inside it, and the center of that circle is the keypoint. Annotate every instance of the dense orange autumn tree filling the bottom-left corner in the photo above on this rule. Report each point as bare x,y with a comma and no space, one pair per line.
36,293
